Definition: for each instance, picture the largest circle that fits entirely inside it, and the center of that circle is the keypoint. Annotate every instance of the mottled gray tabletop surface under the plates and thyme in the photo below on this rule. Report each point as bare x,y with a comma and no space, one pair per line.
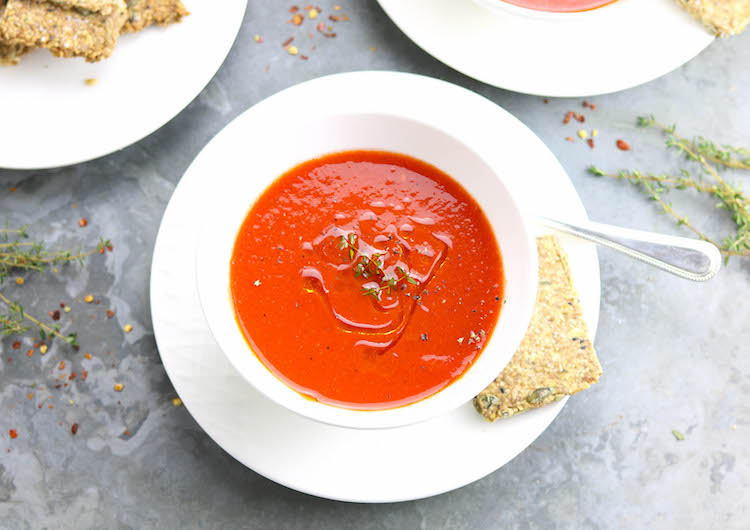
675,355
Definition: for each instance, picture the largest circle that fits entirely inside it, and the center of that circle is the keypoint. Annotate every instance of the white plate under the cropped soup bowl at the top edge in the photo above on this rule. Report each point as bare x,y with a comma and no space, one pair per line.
614,48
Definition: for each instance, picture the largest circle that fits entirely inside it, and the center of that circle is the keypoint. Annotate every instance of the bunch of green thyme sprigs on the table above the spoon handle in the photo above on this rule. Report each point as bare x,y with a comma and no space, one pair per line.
710,159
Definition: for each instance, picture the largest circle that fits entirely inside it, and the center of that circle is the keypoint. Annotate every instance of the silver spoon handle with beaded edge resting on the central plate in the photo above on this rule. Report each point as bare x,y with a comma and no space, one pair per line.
691,259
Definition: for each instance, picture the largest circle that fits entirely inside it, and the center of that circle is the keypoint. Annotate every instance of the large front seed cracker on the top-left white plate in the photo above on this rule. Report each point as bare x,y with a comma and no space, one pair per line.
65,31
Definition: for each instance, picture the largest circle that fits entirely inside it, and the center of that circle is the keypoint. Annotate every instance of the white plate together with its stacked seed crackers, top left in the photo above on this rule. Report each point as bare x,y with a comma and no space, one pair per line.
61,111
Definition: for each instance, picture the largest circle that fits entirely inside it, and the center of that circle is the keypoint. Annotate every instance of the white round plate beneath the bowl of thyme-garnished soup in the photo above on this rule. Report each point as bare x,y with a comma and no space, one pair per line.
386,465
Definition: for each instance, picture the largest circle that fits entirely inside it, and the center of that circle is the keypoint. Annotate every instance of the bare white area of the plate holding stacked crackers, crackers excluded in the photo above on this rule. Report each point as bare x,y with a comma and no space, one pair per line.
51,118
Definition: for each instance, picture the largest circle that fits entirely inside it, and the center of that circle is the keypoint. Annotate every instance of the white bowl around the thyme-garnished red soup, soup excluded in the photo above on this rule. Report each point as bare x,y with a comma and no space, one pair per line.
322,131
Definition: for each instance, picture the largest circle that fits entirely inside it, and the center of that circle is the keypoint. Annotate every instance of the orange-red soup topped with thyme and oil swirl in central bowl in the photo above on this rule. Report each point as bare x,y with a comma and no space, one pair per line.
366,279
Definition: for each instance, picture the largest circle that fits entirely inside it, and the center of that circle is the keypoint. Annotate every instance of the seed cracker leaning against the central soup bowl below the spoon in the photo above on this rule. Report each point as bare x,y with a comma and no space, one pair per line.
556,357
